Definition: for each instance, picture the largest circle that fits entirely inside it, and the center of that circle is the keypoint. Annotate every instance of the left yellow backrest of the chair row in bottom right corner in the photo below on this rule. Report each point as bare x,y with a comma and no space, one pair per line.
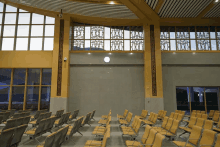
195,135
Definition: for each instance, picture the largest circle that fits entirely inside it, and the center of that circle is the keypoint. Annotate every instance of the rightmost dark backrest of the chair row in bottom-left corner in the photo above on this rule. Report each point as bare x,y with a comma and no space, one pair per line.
18,133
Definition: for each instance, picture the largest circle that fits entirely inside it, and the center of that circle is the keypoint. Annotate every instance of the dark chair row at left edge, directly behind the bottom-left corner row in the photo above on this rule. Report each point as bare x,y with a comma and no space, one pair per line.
11,123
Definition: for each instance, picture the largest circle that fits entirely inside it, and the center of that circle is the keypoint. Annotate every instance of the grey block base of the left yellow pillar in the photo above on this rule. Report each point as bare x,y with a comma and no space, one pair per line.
58,103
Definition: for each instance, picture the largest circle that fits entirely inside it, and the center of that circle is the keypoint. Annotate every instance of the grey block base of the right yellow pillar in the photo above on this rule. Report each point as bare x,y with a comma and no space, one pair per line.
154,104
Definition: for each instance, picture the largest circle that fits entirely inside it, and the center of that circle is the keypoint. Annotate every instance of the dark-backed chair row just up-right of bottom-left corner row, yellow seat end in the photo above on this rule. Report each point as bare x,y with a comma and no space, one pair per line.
44,126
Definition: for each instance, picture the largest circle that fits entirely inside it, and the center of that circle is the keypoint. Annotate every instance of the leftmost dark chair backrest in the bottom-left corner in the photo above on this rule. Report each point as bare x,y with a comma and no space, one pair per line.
5,137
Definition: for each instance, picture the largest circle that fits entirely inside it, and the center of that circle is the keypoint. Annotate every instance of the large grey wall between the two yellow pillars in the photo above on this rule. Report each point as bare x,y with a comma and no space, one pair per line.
117,85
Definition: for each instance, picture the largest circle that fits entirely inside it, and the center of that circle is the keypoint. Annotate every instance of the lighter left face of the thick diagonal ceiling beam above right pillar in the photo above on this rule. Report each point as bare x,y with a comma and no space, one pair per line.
136,11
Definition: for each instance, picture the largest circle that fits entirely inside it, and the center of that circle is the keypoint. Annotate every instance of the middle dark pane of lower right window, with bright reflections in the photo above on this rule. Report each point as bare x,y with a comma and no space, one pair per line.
197,98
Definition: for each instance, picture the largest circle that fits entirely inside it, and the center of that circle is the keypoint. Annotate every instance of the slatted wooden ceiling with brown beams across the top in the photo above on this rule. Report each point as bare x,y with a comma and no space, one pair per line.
166,12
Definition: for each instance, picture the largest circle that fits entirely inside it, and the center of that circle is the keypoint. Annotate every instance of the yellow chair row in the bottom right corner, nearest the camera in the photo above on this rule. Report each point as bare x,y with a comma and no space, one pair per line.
200,137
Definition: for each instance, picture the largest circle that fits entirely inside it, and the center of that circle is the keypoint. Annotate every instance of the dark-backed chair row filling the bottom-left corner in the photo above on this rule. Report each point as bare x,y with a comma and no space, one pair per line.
12,137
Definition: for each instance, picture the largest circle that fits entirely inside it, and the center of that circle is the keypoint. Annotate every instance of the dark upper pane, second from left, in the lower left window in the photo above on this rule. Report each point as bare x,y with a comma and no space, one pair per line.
19,76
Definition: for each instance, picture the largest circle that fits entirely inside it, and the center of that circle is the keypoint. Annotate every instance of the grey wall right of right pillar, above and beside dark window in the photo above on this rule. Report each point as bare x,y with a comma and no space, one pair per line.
187,69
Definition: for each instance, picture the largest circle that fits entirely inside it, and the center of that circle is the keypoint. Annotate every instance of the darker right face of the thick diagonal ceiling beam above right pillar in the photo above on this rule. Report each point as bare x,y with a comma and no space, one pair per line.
149,13
